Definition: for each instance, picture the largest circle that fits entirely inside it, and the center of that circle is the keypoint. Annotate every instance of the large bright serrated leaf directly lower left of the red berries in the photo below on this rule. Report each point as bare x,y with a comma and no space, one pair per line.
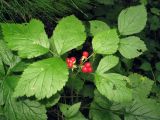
43,78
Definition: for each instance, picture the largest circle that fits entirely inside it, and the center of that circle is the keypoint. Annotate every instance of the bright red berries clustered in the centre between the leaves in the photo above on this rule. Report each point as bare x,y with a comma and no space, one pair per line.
86,68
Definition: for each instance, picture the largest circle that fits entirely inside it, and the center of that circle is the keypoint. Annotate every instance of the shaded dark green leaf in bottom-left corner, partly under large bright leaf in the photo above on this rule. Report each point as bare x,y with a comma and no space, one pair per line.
20,109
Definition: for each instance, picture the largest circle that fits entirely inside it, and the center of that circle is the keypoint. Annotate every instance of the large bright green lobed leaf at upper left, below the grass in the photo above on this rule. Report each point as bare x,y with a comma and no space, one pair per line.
32,35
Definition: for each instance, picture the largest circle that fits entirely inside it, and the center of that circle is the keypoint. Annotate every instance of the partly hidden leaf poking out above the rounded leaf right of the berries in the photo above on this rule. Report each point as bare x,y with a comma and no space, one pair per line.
97,26
